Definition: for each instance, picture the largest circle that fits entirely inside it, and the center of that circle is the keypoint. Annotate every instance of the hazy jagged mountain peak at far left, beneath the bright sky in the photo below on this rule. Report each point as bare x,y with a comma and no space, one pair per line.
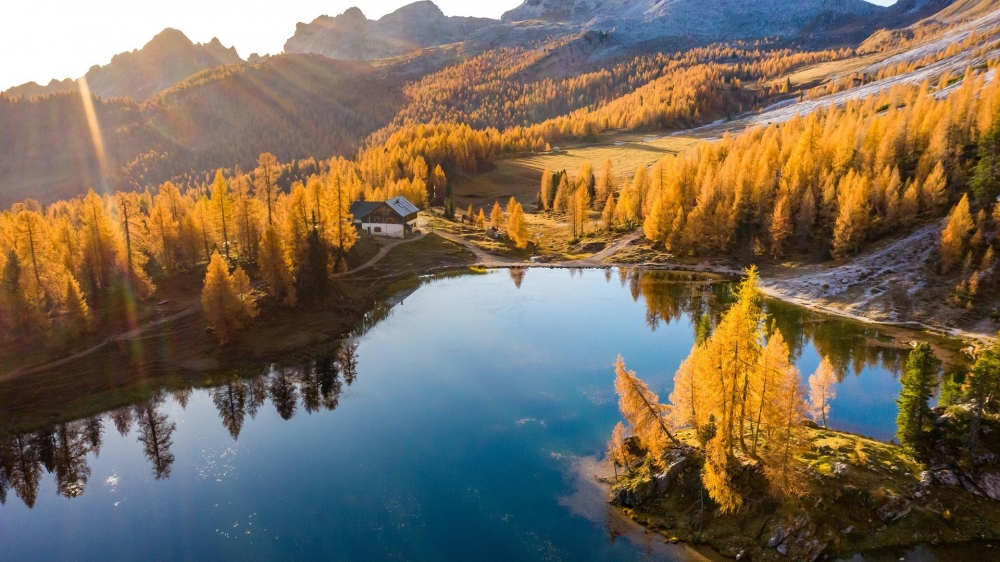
140,74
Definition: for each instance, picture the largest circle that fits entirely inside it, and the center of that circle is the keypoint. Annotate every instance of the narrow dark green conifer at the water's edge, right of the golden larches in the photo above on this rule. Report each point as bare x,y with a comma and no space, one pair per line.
918,385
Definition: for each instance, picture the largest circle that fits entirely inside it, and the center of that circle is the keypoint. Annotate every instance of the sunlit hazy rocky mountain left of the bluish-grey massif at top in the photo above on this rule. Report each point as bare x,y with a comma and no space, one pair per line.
353,36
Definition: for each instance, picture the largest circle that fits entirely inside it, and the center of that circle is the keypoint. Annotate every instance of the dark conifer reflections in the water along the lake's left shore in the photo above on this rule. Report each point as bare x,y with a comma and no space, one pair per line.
63,450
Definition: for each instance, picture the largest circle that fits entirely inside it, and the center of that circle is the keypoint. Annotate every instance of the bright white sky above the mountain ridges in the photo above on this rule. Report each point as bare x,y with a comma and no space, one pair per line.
44,39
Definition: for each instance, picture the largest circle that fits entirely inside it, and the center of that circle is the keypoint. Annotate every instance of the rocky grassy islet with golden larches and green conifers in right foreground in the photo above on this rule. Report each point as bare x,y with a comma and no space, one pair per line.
740,459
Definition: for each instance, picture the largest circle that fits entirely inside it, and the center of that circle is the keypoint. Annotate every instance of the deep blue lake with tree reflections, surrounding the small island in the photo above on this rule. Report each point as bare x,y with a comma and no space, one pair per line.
462,424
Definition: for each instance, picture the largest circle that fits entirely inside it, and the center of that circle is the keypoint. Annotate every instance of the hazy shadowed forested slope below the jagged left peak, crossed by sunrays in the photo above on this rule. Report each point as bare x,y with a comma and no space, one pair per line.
295,106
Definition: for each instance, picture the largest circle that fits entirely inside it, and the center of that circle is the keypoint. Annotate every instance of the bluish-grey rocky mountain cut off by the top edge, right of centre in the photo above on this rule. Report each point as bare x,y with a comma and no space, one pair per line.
704,20
